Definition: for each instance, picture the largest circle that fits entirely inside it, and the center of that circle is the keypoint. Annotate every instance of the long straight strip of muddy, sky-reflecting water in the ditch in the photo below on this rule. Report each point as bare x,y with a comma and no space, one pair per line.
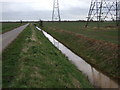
97,78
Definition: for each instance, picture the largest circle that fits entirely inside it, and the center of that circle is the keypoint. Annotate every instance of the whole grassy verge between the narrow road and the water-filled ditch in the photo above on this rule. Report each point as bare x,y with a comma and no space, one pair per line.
31,61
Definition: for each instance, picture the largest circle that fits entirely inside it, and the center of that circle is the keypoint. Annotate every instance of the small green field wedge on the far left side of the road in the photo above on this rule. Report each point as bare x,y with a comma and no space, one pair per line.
9,26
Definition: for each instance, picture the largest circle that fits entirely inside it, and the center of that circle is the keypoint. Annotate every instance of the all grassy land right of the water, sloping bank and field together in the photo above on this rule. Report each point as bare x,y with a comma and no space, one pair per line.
97,46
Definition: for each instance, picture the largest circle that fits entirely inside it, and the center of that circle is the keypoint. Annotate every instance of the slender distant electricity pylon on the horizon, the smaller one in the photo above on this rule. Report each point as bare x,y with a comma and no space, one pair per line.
56,11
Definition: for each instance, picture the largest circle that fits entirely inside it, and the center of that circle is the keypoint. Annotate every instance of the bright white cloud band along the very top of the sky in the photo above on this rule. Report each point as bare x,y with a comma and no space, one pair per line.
48,4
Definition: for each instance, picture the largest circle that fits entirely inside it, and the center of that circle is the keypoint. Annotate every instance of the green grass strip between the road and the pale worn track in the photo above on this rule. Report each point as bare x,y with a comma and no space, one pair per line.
11,56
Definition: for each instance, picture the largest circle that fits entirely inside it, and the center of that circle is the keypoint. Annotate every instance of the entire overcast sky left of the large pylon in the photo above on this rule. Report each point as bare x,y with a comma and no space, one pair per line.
42,9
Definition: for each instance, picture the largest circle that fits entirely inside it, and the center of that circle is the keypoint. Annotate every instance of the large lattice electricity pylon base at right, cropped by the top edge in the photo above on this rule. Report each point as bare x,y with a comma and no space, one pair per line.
102,10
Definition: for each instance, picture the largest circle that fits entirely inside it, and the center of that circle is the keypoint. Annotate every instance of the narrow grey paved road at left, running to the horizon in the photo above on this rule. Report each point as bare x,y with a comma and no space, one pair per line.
8,37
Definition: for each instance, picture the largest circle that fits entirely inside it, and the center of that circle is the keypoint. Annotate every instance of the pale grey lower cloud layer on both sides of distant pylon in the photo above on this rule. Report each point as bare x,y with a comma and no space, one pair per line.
23,11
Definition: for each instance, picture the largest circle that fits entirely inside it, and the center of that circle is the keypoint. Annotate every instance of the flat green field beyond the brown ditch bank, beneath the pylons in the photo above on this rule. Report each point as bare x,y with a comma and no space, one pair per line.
108,32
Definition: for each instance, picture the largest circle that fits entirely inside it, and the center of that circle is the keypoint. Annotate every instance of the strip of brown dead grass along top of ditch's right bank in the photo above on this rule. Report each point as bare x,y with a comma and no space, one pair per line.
97,45
